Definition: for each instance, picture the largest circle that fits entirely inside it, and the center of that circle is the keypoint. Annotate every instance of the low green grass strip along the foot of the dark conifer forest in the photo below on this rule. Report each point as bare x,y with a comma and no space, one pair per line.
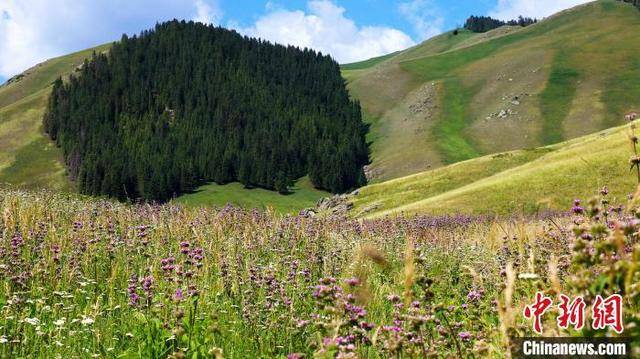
303,195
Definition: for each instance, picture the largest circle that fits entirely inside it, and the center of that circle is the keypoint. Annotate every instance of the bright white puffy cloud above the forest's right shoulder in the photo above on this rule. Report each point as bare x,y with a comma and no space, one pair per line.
324,27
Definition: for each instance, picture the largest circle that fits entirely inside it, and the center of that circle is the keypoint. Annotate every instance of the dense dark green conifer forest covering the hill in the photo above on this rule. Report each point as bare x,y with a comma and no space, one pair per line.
186,103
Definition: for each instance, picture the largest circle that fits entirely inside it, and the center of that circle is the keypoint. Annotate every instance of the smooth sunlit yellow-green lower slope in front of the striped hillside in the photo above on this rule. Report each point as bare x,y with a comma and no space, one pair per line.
522,181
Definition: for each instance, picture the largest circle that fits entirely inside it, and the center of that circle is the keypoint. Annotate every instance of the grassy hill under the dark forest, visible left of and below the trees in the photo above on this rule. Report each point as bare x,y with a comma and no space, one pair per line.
28,159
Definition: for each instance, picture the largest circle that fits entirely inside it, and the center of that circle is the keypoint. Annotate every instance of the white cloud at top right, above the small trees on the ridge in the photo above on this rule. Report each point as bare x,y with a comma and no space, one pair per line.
511,9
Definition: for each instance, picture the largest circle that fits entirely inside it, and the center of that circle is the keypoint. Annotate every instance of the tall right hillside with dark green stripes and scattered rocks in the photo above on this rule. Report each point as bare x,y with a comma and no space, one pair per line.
457,97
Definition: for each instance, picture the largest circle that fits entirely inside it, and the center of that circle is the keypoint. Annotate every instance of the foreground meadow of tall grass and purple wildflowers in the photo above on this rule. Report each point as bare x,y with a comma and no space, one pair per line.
96,278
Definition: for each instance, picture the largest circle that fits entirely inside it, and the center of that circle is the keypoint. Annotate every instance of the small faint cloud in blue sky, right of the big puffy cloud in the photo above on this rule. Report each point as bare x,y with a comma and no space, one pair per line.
424,16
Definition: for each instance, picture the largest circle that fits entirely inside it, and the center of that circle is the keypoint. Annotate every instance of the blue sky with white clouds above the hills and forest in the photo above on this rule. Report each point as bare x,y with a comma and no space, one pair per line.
32,31
